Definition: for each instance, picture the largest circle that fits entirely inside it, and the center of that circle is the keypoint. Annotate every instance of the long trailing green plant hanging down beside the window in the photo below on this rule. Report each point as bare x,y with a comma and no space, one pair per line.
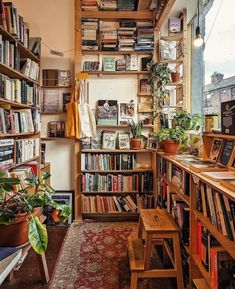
159,78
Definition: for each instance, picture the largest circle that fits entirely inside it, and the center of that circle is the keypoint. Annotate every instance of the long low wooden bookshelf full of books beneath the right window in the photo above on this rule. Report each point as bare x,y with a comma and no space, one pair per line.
207,220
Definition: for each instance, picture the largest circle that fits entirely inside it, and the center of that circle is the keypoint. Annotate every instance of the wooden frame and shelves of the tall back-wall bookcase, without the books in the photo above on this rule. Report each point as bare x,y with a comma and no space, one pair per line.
144,15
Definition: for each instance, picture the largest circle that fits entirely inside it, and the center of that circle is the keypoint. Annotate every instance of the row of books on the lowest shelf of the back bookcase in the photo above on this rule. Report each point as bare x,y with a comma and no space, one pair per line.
115,204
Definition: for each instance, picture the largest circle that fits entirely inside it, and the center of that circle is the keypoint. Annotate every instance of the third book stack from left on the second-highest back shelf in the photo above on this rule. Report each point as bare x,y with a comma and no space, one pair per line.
126,35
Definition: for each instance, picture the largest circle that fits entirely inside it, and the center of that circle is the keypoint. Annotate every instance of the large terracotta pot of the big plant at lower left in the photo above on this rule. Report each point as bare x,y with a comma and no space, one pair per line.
16,234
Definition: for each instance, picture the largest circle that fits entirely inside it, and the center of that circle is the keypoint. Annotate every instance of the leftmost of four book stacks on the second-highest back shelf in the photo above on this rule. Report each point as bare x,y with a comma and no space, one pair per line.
89,34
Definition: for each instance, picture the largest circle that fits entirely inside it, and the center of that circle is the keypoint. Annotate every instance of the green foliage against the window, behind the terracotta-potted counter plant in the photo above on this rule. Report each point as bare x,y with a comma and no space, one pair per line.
187,121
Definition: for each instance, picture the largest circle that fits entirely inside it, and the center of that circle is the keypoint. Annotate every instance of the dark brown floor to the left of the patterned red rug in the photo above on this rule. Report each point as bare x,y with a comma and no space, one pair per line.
28,277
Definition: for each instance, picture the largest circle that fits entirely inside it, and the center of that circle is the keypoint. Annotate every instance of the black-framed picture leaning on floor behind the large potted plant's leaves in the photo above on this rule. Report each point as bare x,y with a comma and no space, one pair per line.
61,197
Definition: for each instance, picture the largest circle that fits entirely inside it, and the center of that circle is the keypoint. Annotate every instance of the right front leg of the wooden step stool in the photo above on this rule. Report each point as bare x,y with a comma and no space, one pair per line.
178,264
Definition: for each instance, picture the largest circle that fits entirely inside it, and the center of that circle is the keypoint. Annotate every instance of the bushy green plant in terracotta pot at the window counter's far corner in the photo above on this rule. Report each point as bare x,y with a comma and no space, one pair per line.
171,139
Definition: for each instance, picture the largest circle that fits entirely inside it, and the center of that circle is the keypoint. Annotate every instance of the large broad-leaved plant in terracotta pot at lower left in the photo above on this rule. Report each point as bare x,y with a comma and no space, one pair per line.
20,211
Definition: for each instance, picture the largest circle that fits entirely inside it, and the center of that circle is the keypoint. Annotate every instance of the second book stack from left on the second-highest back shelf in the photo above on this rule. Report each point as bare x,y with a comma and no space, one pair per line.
108,34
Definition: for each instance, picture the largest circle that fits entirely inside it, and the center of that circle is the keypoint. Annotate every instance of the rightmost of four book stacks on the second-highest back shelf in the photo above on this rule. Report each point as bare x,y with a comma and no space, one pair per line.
145,37
